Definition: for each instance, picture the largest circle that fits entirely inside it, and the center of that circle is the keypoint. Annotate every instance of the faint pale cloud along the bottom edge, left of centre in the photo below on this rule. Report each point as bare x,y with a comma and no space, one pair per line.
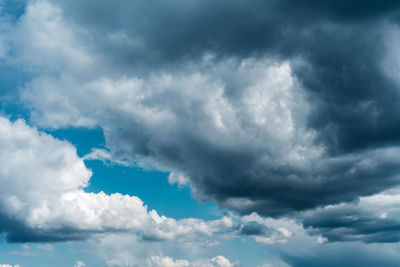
120,250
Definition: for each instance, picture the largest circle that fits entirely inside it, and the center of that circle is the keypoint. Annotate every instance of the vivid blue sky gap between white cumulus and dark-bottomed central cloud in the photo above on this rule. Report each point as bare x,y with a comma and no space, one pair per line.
151,186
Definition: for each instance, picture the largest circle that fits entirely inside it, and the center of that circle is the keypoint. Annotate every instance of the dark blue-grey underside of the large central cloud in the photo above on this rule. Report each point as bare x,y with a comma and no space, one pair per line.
238,181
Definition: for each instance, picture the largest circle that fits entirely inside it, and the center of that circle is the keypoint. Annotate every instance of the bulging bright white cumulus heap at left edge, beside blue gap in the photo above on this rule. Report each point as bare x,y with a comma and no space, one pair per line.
35,170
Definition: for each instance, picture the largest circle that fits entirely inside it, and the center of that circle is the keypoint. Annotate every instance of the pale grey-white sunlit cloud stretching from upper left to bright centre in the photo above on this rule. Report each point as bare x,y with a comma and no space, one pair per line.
266,103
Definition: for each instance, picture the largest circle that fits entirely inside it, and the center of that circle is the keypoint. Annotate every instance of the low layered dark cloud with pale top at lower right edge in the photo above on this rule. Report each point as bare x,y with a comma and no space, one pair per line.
370,219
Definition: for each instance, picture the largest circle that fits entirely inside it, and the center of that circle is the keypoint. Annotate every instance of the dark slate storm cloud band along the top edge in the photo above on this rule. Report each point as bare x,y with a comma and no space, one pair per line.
154,32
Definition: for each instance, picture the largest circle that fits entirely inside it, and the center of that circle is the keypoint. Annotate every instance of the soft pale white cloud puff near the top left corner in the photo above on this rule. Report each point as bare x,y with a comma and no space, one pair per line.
42,28
